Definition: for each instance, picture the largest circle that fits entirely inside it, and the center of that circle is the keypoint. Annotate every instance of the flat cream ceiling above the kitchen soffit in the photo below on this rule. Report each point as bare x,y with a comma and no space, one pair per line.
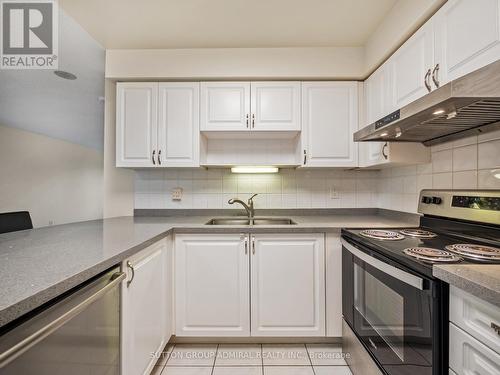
130,24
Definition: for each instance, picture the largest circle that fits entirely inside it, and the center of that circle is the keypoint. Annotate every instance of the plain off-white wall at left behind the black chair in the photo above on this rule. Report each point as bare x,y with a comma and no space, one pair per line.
57,181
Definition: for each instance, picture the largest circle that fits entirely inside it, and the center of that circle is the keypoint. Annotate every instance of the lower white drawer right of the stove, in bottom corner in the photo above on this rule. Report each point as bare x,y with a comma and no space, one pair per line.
469,356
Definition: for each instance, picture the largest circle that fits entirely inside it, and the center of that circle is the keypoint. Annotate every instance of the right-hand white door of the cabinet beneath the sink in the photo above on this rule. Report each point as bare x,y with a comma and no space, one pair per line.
288,285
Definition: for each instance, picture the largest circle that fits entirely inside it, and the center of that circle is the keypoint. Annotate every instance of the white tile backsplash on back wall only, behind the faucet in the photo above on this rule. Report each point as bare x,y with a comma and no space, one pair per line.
289,189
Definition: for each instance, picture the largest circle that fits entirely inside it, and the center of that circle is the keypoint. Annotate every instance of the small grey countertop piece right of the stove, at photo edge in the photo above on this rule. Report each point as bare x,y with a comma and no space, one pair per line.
481,280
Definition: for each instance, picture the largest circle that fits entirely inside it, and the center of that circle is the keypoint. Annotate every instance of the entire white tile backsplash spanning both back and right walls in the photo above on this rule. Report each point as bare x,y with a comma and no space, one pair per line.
471,163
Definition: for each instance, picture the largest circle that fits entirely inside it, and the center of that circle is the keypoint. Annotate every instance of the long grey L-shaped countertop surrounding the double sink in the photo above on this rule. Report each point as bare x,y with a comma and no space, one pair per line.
40,264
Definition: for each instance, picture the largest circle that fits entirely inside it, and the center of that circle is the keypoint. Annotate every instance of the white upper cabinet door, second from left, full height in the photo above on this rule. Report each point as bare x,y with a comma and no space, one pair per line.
179,124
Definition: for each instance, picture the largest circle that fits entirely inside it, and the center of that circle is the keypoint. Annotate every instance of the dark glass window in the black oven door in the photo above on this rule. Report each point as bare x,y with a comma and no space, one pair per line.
381,307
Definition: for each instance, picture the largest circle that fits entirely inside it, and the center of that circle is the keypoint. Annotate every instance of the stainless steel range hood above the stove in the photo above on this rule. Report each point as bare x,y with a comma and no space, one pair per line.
466,106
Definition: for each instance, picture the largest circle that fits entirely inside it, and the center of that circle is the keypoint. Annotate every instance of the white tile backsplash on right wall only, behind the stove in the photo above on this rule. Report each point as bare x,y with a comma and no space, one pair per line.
470,163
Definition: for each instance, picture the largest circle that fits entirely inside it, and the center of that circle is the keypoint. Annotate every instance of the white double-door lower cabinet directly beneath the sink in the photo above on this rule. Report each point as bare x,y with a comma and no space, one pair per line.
250,285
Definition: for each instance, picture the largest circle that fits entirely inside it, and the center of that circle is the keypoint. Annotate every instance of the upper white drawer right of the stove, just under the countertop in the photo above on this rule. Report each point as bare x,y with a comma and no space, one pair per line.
476,317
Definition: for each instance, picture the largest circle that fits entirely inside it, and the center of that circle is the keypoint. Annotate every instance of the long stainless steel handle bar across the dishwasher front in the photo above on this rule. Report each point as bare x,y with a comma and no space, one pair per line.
78,302
